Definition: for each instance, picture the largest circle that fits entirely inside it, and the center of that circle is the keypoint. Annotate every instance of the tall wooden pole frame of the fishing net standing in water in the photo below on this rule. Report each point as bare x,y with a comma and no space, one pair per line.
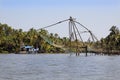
74,35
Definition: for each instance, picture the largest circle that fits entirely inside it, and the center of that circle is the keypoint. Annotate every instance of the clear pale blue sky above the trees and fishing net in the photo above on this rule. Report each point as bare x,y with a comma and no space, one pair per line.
97,15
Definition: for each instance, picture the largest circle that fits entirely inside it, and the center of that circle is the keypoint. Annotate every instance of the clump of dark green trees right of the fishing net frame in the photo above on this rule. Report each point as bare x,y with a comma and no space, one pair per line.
111,43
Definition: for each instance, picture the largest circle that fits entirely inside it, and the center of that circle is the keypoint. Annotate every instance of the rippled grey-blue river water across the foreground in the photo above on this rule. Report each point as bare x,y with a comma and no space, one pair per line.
58,67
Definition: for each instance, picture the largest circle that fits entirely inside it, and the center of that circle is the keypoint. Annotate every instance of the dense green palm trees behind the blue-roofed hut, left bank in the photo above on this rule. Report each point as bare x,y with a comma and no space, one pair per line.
11,40
